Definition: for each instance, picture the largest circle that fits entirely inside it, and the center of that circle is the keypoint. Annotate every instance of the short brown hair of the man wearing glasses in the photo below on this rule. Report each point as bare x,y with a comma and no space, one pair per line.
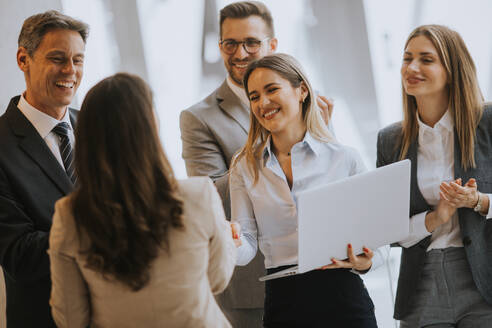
244,9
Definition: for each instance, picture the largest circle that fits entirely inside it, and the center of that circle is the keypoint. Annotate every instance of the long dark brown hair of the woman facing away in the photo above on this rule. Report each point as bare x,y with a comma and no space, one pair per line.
126,201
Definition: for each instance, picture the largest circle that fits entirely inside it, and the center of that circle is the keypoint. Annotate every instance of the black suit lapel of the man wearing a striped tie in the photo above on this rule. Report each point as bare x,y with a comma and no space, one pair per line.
35,147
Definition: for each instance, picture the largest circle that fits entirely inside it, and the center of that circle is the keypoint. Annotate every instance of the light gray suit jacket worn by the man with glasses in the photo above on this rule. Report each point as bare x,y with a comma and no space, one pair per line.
212,131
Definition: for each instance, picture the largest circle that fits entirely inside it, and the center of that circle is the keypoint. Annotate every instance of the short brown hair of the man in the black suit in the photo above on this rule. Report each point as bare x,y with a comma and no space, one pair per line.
36,26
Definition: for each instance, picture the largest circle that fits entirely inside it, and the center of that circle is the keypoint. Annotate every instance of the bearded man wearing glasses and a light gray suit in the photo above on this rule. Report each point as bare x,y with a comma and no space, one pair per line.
214,129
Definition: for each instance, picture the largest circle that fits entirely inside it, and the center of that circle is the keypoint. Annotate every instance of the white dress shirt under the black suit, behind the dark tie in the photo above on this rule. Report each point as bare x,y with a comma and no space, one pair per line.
44,124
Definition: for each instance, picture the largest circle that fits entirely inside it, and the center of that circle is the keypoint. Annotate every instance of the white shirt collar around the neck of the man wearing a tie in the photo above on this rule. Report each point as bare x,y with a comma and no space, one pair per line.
42,122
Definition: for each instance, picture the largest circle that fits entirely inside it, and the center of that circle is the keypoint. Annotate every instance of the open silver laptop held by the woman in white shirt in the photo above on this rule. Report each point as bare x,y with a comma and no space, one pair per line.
369,209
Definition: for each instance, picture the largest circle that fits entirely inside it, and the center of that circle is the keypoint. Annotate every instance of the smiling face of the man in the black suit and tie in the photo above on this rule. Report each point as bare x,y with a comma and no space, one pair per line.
54,72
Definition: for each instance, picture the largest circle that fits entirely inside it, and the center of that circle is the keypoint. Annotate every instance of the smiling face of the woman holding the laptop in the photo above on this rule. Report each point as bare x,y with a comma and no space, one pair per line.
275,103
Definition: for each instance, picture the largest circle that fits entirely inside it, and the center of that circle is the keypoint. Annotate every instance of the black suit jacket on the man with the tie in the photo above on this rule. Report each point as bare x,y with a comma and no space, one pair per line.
31,181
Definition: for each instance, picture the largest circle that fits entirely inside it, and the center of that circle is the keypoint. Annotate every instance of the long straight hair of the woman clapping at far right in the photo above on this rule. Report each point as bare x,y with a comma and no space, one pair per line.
465,97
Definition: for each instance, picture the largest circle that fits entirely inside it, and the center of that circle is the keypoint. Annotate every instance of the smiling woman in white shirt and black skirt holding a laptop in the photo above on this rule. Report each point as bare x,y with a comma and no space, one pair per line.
289,149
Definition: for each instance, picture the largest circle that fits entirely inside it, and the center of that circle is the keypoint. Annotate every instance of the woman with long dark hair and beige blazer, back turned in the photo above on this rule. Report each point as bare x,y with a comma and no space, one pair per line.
133,247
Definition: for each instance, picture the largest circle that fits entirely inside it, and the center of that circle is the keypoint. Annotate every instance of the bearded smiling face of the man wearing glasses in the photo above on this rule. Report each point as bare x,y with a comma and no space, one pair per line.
242,29
